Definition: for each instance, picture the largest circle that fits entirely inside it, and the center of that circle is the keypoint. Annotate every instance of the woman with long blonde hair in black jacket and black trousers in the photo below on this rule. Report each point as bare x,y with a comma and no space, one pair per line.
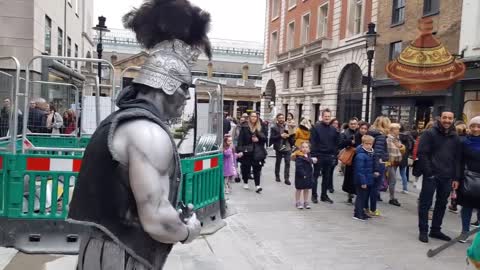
251,142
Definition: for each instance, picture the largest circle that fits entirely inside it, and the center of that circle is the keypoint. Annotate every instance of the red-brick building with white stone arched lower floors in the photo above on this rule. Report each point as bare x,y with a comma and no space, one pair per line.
315,56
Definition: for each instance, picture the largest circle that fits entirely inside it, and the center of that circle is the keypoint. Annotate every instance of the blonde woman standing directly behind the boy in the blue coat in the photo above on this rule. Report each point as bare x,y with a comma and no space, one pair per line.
379,131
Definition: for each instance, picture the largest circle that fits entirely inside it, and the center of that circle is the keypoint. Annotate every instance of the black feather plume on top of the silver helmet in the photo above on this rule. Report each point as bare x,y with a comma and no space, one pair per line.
159,20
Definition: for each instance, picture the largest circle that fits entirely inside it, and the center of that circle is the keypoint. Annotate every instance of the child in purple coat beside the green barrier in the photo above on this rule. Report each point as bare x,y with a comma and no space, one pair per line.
229,162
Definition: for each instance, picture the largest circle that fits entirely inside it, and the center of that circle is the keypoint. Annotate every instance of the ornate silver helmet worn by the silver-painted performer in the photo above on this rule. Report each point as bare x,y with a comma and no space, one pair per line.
168,66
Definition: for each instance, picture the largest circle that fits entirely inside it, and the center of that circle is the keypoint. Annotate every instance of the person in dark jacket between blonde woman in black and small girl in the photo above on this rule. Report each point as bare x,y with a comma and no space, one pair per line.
282,144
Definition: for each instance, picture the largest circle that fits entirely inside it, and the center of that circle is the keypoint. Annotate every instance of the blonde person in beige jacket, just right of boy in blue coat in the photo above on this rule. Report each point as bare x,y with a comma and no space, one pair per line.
395,153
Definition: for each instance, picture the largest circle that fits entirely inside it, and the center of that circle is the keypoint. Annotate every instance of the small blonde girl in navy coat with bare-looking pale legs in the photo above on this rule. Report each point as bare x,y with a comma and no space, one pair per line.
303,175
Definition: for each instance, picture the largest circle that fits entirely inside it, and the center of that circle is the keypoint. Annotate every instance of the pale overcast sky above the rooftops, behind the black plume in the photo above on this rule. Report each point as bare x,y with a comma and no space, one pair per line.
231,19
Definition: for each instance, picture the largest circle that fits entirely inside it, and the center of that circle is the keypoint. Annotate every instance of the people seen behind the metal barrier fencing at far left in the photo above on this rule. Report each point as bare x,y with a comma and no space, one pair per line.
43,117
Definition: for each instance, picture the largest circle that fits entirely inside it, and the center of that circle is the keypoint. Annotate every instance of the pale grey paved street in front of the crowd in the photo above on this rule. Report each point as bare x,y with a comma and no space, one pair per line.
269,233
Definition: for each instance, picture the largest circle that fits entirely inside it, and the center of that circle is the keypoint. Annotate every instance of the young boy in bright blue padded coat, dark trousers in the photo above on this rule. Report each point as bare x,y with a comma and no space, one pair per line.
365,169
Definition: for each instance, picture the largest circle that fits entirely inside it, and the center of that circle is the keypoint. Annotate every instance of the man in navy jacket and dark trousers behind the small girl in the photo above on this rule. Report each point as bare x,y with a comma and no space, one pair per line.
324,141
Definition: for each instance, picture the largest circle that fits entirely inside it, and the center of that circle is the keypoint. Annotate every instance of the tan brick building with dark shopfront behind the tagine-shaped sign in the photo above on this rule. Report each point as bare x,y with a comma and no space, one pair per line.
397,27
